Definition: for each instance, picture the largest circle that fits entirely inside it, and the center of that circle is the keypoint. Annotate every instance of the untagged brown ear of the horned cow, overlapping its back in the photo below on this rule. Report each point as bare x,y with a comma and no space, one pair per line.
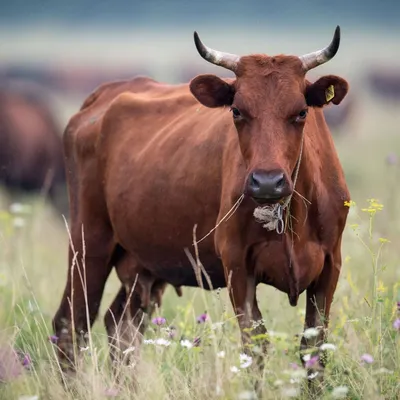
212,91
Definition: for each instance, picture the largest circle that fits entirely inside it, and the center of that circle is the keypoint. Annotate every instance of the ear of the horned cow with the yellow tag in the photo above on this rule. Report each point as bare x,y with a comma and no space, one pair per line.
329,88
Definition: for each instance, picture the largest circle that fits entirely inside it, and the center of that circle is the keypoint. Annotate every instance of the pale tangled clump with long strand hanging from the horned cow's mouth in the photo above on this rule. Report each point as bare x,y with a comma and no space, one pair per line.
272,215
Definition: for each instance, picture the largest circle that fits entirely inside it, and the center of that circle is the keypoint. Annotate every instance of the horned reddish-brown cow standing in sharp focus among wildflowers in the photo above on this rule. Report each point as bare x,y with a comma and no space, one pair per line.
147,161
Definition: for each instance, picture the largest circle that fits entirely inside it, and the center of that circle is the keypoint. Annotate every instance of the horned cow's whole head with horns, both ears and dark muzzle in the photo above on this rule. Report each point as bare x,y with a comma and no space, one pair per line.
270,101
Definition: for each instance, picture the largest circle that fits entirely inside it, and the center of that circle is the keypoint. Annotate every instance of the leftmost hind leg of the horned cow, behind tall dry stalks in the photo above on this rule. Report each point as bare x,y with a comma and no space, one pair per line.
89,268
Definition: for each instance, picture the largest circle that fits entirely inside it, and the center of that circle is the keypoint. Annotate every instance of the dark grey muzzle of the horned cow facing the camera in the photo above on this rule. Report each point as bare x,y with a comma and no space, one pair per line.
268,186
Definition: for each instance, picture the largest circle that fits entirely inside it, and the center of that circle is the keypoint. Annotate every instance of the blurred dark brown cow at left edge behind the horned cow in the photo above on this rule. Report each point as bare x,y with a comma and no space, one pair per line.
31,155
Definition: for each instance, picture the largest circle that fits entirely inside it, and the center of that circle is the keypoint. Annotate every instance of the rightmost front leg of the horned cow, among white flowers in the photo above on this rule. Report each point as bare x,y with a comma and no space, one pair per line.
318,304
